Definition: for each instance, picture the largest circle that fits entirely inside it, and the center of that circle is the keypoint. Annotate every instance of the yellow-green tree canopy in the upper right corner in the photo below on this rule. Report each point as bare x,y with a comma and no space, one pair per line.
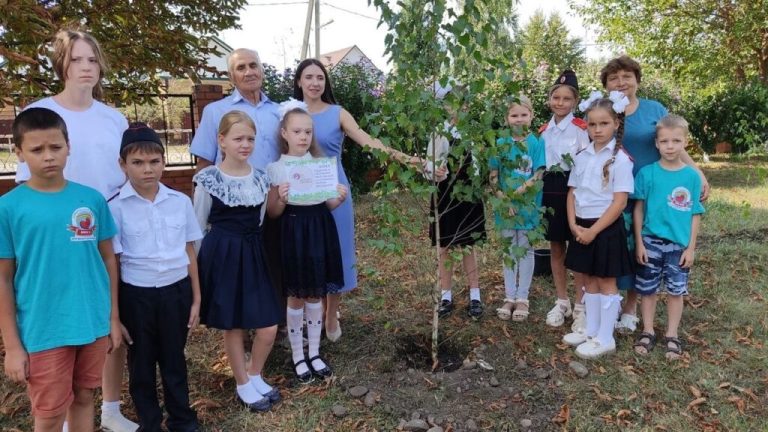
700,41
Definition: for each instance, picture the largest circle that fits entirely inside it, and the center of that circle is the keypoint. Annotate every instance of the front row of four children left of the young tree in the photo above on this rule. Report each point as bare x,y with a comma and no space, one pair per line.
59,233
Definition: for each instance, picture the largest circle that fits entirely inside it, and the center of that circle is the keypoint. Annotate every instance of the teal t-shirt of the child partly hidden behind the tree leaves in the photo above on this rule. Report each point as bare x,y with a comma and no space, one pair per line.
517,163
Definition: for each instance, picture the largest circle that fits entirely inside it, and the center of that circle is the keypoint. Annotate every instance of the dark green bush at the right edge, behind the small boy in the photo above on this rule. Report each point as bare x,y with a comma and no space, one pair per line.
737,115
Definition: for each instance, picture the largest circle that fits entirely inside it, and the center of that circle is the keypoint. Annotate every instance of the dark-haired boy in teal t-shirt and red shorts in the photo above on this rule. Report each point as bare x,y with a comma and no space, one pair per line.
58,279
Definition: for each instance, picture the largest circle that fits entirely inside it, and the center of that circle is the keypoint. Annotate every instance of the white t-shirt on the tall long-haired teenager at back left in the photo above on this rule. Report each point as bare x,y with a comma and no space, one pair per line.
94,142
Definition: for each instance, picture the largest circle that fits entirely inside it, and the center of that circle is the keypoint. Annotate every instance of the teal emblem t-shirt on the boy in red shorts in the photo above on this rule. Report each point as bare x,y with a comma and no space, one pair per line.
61,284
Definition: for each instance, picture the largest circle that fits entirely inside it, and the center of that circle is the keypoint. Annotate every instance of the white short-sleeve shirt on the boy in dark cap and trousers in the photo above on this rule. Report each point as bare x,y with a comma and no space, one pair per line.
152,236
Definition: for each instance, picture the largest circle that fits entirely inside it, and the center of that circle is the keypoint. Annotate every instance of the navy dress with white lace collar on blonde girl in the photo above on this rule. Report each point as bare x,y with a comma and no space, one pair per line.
236,291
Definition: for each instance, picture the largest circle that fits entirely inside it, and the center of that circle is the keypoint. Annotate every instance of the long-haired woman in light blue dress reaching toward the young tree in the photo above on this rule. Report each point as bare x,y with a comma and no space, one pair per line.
331,124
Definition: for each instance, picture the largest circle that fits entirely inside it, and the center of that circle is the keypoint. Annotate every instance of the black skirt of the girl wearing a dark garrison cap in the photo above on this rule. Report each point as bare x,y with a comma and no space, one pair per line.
554,197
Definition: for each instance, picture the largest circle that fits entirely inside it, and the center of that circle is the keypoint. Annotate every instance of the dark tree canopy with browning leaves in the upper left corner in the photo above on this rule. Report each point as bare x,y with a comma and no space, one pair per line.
140,39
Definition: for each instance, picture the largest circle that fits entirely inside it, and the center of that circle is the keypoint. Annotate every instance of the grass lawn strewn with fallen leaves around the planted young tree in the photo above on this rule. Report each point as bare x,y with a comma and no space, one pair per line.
720,384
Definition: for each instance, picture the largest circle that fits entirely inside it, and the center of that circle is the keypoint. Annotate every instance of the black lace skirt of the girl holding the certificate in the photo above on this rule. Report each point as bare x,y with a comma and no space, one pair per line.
311,255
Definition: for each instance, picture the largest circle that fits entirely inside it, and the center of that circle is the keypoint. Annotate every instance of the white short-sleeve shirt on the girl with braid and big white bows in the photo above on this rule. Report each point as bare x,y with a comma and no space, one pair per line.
592,197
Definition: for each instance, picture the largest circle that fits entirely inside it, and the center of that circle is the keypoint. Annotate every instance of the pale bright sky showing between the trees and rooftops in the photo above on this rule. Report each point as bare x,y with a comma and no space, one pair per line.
275,28
